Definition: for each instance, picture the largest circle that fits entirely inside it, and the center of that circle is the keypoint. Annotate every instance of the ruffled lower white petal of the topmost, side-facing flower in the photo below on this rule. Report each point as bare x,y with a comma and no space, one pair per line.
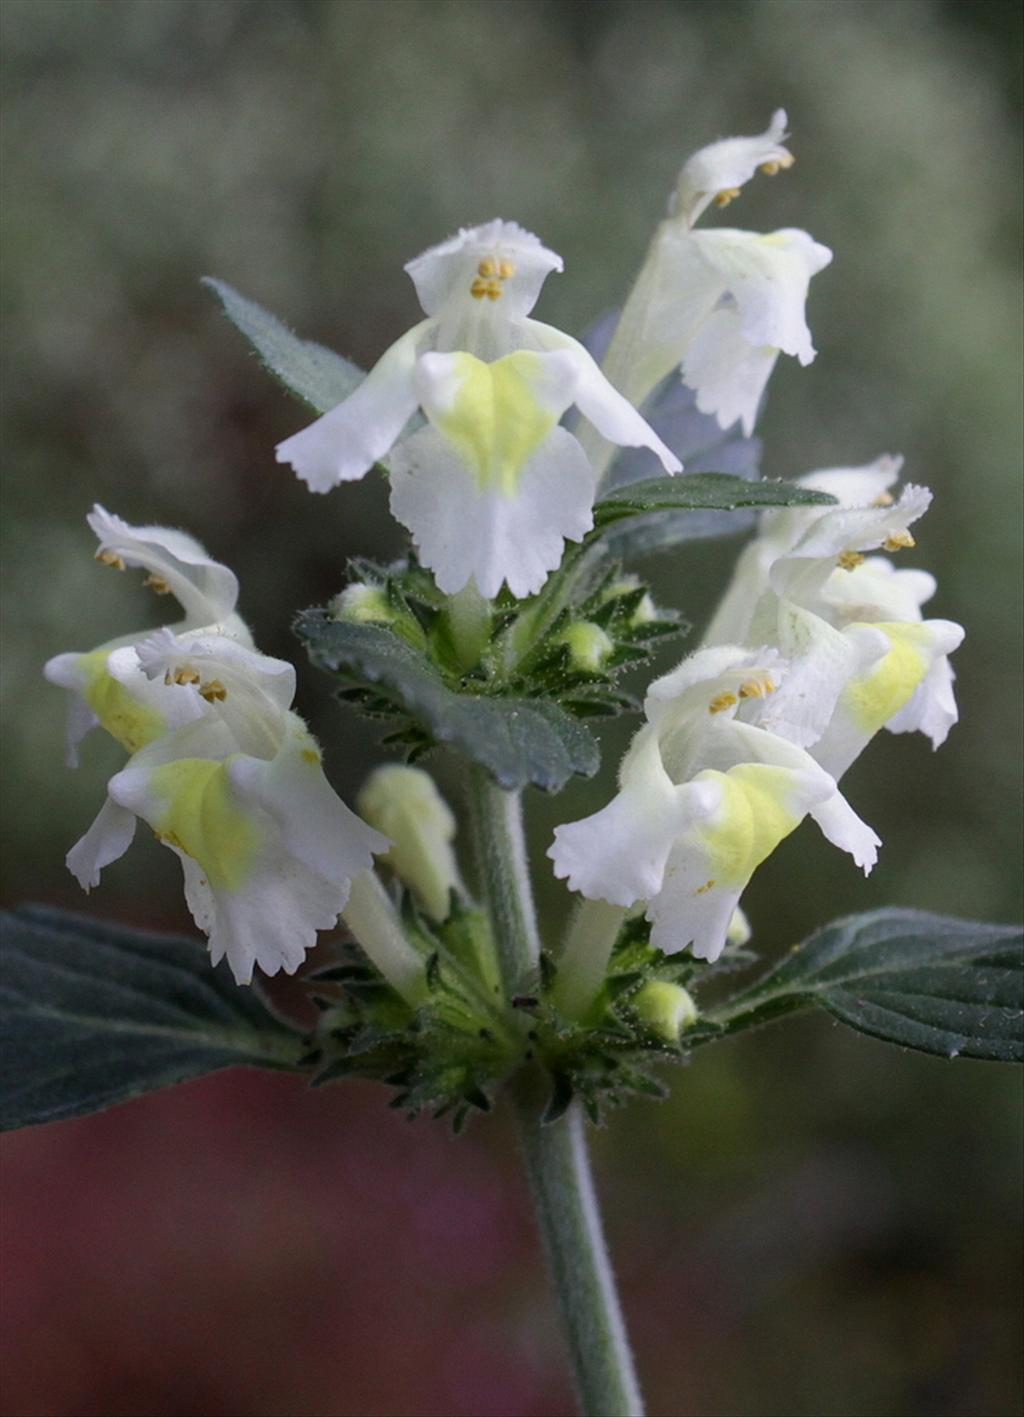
727,373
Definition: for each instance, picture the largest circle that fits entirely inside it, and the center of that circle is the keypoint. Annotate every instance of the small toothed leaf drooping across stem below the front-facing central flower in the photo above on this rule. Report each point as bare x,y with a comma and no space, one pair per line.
518,740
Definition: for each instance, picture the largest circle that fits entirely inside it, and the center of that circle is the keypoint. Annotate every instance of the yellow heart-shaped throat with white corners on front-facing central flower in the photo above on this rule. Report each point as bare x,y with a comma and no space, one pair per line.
496,416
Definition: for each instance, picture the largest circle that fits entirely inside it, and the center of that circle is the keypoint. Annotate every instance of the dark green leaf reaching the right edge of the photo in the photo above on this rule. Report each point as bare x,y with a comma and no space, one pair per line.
928,983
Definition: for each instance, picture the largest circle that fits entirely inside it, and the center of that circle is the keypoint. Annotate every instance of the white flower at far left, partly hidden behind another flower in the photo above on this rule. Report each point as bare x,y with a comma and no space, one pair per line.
110,689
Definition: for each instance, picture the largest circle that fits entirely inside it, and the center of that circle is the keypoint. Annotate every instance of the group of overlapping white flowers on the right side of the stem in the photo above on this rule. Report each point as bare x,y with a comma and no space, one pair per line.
817,647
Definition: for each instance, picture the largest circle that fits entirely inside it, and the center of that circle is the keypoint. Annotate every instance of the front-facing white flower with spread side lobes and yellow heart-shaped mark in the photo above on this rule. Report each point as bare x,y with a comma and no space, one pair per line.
492,487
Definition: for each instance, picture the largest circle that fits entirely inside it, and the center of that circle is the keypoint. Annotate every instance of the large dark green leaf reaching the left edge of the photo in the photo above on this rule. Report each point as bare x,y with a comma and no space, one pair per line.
96,1014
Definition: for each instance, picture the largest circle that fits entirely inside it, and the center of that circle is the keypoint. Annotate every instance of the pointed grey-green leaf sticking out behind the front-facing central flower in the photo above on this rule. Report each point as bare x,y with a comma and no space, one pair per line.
321,378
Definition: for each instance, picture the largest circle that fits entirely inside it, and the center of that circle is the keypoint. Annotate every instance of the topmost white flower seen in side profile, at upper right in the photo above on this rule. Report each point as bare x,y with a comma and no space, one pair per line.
720,305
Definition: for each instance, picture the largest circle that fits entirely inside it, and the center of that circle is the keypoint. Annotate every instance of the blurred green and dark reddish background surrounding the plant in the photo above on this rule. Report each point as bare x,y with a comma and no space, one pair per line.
814,1224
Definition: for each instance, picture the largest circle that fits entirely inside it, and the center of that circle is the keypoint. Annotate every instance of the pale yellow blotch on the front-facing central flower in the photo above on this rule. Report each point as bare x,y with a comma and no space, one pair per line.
496,420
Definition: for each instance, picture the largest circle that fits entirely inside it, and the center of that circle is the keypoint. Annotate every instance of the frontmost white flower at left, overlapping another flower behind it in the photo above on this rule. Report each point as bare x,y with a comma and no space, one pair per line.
237,791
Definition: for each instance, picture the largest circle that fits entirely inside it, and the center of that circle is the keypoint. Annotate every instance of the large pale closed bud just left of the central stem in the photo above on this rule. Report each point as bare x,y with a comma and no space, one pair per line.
404,804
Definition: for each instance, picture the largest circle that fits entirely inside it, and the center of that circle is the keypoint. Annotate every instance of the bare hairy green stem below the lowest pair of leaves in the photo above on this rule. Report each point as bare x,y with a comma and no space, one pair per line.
574,1243
